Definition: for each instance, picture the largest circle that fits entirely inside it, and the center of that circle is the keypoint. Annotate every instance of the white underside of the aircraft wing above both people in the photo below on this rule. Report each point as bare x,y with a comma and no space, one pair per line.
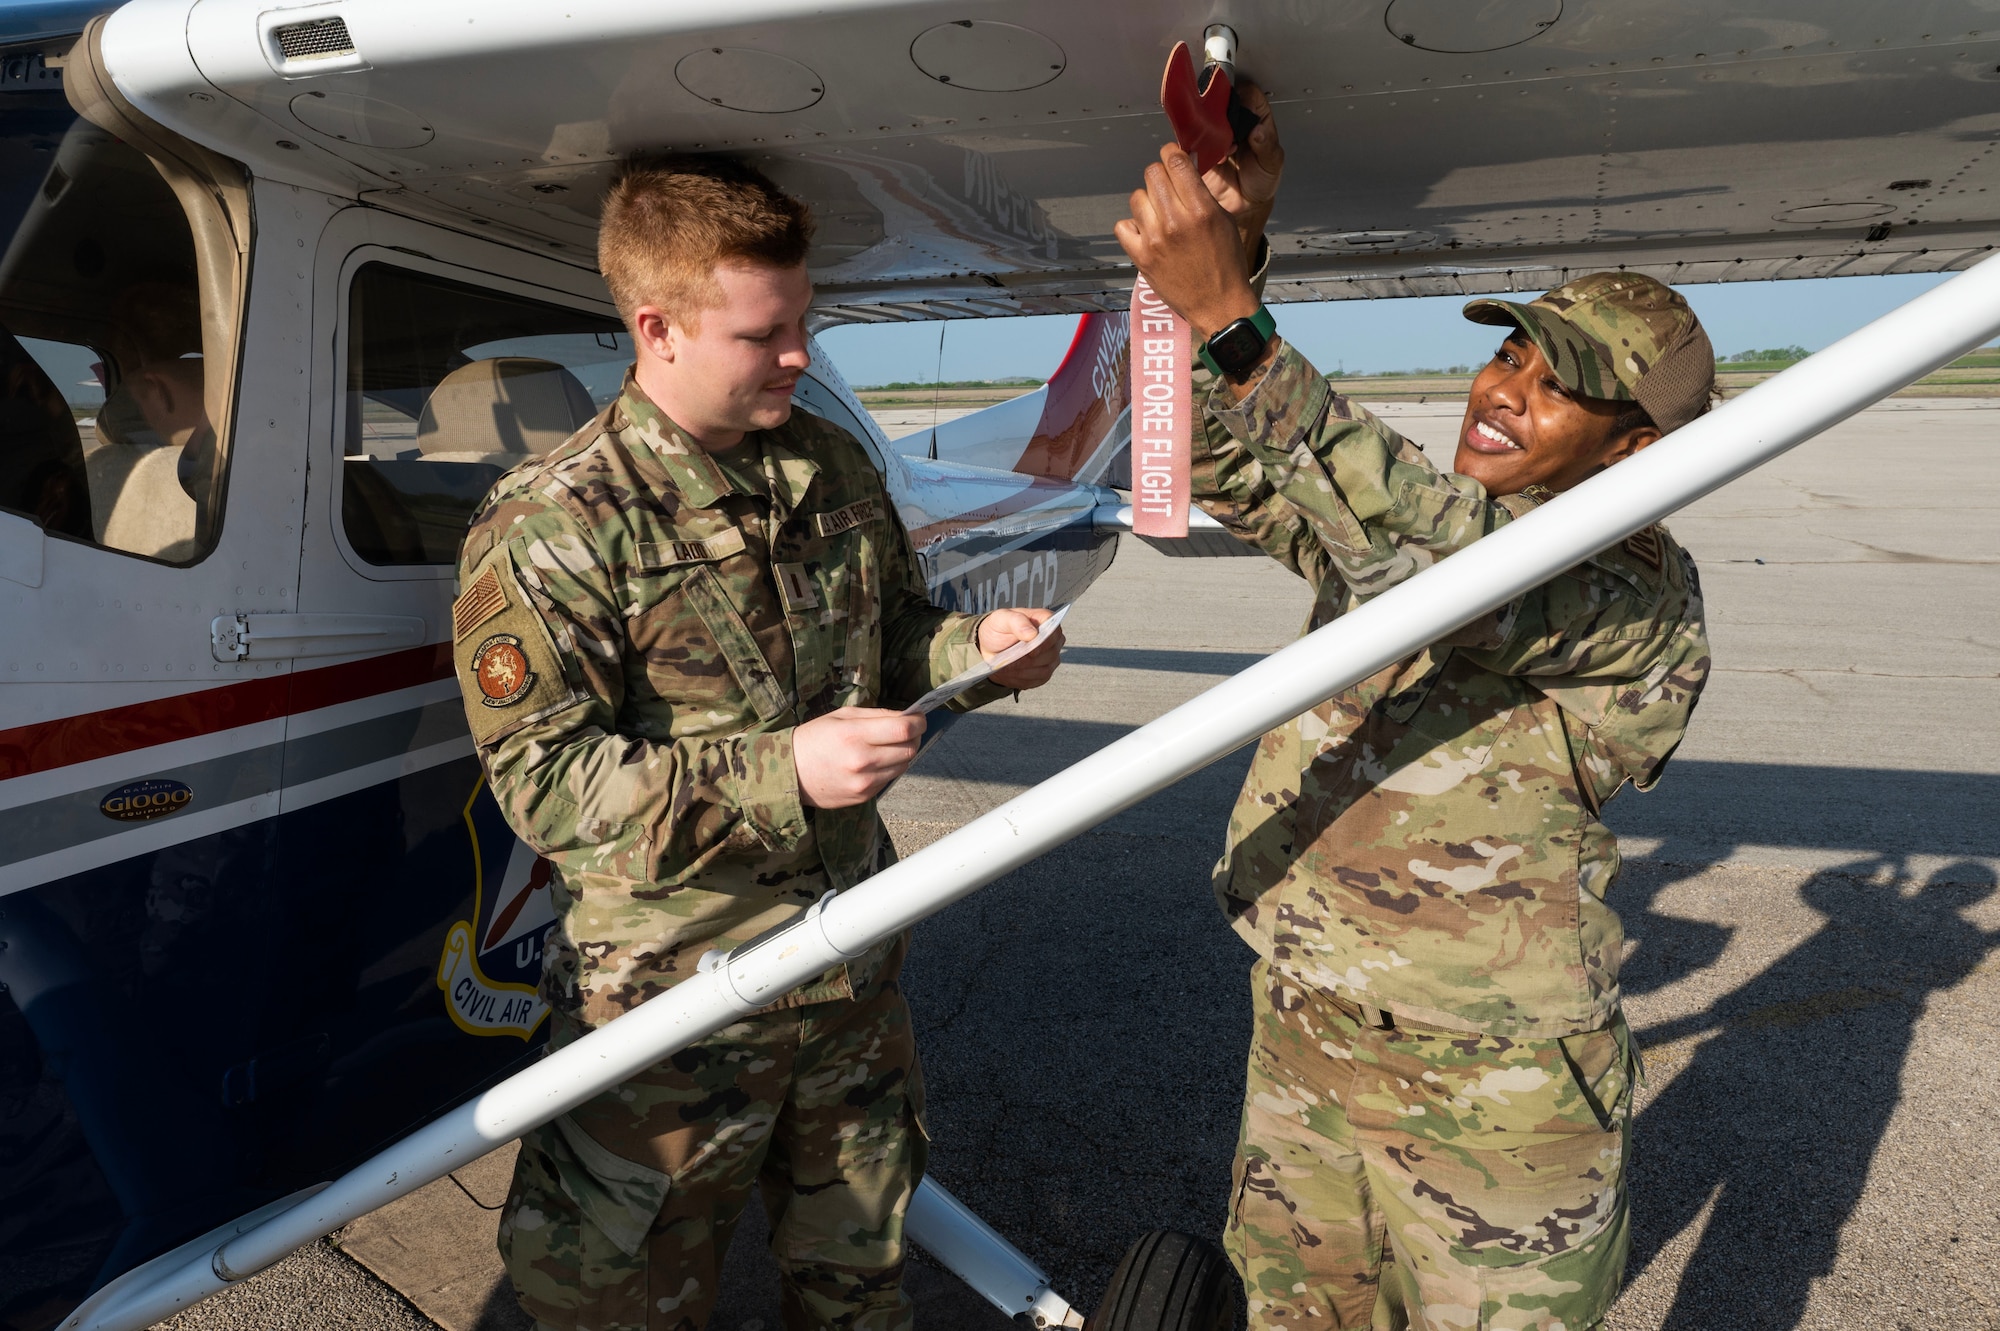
971,167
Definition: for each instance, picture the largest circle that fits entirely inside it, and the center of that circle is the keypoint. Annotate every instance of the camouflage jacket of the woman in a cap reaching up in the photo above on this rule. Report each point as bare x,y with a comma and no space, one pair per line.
1429,840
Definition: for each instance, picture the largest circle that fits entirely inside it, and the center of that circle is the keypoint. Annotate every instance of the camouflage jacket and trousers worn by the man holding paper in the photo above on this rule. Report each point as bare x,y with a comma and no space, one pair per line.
643,633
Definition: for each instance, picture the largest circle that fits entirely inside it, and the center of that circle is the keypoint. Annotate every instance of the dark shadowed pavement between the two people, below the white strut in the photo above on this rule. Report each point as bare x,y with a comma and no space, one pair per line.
1083,1026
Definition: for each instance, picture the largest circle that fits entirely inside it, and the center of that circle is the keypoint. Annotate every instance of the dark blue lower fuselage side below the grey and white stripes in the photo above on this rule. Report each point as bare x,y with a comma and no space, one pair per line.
193,1032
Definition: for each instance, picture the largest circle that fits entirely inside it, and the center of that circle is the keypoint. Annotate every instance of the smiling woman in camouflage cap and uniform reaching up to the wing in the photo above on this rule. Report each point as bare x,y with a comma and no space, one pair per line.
1439,1090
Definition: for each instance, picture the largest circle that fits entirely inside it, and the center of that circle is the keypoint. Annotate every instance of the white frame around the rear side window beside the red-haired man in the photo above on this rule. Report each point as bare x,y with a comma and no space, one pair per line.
421,265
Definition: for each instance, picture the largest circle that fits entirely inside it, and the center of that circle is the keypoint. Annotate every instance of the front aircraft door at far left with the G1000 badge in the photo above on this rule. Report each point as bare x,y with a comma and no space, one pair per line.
153,423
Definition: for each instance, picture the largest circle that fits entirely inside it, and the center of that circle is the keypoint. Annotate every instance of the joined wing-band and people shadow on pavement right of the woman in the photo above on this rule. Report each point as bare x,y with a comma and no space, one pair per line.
1781,1110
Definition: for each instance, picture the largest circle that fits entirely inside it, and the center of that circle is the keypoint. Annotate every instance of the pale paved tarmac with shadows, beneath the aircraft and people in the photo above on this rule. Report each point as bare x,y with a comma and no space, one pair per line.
1811,898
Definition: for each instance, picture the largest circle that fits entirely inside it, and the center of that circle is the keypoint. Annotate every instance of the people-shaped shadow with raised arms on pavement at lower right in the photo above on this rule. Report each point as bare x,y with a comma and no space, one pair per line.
1779,1114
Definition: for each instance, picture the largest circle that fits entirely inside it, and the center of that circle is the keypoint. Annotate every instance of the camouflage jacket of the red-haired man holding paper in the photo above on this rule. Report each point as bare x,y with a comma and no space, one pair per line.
641,629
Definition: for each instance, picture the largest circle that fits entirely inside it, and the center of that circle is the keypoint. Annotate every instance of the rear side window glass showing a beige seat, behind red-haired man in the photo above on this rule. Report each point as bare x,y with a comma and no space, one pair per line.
451,387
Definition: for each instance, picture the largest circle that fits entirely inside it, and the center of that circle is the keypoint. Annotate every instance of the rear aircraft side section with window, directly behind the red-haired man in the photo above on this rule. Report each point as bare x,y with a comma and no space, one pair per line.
447,363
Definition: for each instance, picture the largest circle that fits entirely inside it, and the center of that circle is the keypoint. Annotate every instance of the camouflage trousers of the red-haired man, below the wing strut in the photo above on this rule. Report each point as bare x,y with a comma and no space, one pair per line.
621,1212
